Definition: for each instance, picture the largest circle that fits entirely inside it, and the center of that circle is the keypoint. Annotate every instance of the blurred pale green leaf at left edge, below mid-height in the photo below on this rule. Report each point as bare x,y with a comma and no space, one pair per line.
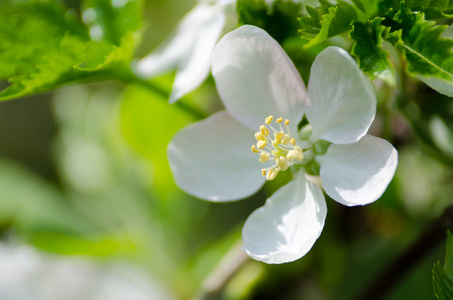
33,205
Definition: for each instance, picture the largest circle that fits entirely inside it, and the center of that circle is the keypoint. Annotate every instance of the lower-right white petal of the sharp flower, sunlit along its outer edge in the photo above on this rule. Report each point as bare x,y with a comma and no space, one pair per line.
358,173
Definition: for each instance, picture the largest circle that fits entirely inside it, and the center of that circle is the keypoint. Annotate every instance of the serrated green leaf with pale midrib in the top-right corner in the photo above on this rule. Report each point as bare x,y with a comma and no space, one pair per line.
429,56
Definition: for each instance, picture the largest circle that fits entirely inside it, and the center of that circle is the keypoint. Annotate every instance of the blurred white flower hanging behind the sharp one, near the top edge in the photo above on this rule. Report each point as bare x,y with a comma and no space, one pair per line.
190,49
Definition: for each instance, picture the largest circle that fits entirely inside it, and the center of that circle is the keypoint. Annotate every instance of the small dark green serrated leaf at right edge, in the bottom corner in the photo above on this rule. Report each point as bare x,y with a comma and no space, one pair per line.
443,275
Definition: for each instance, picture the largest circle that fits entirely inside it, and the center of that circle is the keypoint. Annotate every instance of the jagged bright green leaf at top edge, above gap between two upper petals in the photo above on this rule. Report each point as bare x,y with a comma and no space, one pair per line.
327,21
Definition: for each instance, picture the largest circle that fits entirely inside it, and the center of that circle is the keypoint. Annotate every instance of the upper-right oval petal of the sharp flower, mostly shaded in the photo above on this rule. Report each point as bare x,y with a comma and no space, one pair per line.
343,101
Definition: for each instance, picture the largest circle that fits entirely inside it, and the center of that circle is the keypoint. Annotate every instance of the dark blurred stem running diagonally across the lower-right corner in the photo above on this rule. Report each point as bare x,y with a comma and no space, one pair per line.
421,247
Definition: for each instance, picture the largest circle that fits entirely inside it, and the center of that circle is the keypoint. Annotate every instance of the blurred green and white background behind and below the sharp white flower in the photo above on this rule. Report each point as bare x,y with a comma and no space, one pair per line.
89,209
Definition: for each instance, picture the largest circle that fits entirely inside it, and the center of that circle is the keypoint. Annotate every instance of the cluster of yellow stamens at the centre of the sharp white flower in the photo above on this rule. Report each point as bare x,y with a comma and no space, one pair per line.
282,148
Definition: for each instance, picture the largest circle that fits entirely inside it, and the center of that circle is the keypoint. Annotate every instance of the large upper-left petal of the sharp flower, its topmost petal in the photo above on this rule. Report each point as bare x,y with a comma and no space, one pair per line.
255,78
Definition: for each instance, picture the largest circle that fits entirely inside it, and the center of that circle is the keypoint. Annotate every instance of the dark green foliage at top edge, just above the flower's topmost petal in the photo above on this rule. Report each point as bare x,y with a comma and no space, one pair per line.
279,20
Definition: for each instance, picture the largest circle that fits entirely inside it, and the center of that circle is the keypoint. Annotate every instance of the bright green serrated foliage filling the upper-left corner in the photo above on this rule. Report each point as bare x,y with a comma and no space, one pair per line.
44,45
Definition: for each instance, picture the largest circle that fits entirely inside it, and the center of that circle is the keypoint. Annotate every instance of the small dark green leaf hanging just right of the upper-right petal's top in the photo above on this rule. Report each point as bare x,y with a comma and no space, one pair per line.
367,48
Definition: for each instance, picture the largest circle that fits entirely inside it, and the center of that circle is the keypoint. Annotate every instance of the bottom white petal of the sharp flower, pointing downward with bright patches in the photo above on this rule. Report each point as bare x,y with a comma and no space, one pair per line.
288,225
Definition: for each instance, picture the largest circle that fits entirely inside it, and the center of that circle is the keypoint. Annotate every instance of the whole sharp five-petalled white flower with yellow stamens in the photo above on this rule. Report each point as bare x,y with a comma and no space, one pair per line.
256,79
